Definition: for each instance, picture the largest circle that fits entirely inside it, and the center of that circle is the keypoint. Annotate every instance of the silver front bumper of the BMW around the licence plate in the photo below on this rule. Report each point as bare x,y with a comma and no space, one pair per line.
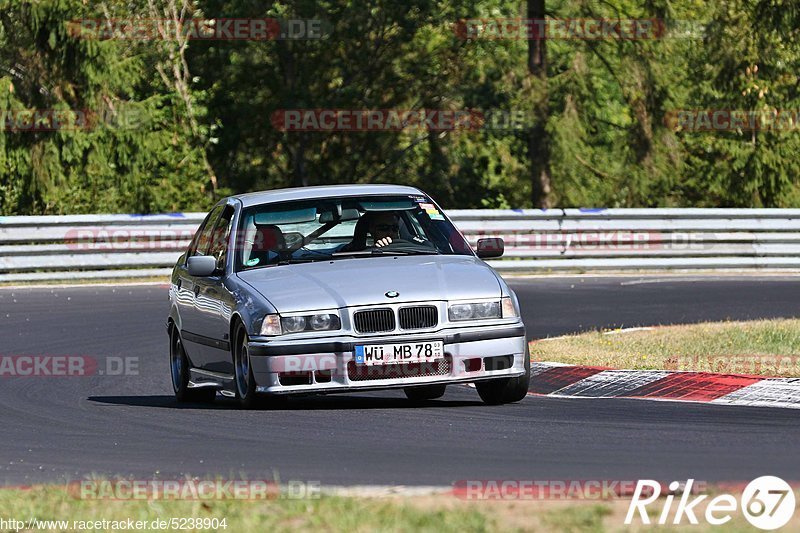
328,365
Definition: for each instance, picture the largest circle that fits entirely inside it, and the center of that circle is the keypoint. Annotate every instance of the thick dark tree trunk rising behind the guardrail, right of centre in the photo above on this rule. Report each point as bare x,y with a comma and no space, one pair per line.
538,142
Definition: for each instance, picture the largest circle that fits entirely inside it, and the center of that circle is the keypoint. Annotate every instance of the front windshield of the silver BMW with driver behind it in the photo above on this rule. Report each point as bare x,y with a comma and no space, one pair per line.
338,228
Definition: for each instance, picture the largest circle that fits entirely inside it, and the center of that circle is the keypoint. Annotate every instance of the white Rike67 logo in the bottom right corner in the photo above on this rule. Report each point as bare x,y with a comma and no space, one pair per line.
767,502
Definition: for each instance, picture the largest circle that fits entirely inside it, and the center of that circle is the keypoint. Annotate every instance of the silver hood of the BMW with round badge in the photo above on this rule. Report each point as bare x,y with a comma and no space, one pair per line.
365,281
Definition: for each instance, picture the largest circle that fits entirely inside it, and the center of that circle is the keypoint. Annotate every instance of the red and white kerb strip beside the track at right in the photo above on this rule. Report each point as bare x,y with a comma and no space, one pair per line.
556,379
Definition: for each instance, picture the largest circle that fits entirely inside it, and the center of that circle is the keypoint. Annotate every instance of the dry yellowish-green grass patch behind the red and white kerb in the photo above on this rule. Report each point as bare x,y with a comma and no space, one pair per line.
761,347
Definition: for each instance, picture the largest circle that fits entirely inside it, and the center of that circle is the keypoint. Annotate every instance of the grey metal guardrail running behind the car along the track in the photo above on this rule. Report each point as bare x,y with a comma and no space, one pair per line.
114,246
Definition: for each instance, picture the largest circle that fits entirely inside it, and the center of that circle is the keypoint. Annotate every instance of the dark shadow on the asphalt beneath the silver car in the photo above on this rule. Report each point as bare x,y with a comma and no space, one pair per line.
303,403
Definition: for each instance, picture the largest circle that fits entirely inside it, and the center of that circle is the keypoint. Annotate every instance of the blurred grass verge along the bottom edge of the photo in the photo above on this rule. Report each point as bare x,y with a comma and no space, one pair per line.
432,513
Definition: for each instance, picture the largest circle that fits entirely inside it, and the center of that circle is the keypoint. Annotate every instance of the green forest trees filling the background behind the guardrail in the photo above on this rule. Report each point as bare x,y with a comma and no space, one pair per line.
177,134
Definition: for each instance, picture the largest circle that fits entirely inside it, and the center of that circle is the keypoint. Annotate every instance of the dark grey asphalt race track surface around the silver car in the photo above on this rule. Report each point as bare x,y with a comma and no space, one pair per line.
63,428
